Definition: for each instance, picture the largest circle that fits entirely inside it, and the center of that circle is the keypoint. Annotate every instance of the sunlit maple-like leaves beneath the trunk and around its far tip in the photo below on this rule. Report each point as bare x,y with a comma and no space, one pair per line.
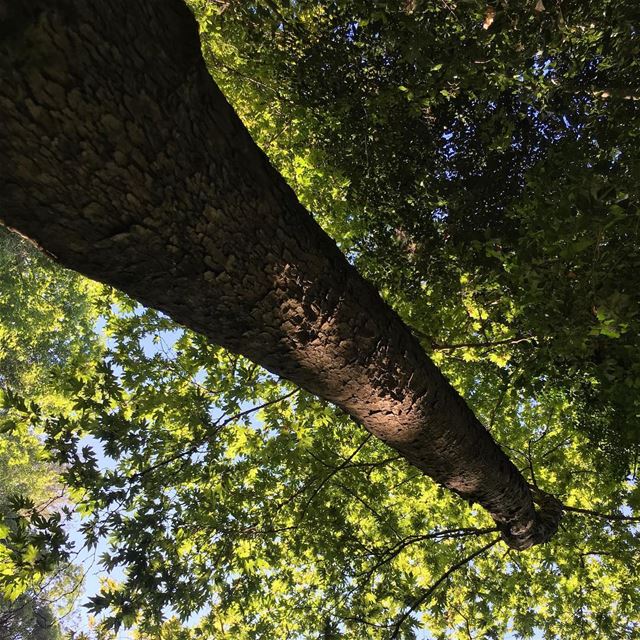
227,494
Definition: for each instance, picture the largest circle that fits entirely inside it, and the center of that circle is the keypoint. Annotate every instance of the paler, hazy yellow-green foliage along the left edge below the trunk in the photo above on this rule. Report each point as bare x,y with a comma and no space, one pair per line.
37,584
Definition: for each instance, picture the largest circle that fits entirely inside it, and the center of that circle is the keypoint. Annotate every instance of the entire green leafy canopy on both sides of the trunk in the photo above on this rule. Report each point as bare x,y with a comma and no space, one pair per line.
479,165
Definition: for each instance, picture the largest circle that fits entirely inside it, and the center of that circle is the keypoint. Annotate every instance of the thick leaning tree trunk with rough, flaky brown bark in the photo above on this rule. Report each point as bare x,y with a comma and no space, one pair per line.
121,158
